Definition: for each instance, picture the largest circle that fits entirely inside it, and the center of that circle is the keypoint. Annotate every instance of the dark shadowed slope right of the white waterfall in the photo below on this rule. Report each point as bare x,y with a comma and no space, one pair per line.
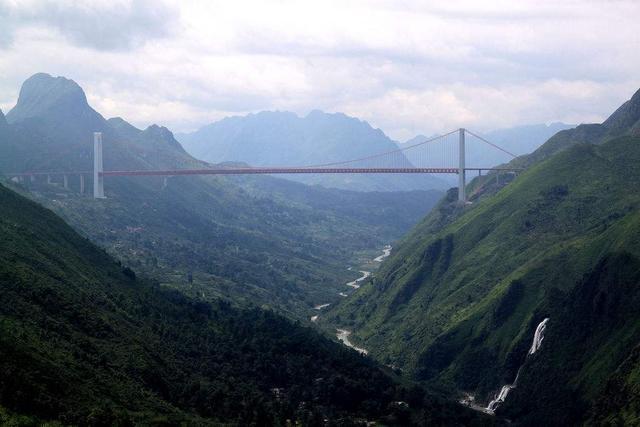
589,342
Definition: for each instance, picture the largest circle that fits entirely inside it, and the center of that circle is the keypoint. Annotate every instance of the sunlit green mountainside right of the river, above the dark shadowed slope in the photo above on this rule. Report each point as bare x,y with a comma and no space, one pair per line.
461,304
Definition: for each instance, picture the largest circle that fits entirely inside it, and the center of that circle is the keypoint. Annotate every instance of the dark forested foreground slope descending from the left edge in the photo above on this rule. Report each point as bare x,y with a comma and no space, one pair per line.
83,341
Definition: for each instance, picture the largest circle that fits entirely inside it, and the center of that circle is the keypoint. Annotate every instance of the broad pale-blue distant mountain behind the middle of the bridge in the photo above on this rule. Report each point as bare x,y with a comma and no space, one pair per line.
284,139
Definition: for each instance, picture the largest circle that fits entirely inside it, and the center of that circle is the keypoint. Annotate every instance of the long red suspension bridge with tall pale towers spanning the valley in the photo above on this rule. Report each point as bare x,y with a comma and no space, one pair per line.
442,154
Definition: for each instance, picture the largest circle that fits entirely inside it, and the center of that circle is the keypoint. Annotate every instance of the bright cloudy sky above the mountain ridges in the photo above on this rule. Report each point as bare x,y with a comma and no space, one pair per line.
405,66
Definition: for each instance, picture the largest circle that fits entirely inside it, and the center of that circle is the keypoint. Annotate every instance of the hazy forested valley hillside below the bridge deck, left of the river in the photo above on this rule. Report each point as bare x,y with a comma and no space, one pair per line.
264,242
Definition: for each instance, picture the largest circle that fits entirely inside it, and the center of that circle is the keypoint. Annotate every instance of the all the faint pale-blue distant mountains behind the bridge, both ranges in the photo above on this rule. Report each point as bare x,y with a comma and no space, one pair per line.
284,139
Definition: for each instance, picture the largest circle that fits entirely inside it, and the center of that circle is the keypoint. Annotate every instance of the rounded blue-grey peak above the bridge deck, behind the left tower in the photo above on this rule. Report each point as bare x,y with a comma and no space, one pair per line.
53,124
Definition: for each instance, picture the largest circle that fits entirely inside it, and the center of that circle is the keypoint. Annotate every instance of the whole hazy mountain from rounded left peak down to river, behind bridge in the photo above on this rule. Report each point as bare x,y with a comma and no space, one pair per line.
223,237
